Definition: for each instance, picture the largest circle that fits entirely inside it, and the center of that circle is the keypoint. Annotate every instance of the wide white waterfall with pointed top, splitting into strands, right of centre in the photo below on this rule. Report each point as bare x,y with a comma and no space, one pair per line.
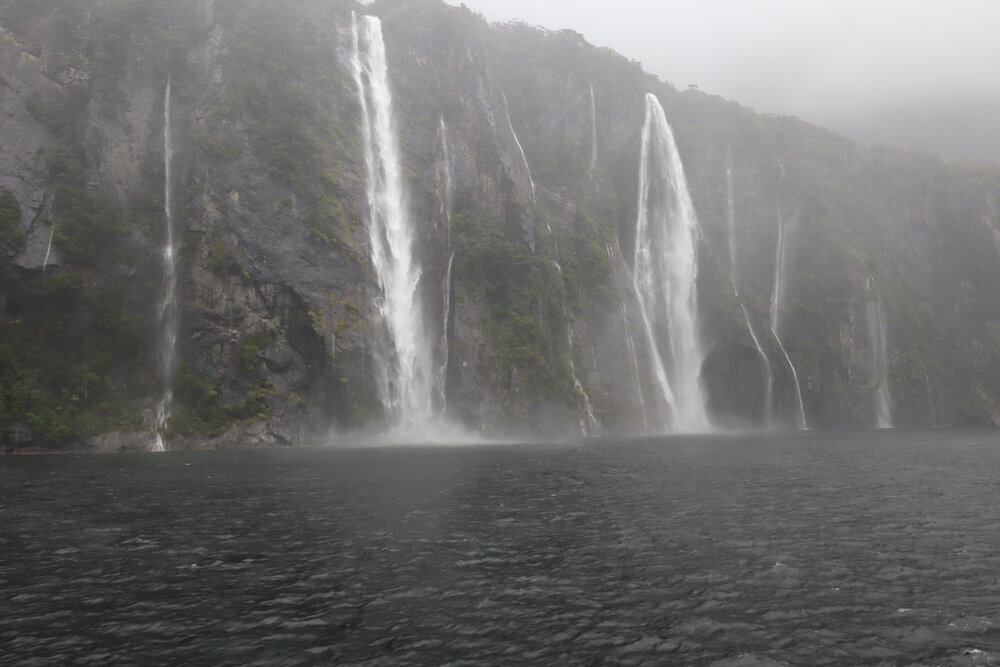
665,271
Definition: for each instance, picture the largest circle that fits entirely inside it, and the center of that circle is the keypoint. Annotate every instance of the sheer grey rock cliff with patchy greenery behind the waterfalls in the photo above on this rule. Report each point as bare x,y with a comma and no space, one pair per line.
276,287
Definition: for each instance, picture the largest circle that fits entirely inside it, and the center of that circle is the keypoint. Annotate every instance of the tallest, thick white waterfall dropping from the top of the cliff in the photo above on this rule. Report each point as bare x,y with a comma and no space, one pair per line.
404,374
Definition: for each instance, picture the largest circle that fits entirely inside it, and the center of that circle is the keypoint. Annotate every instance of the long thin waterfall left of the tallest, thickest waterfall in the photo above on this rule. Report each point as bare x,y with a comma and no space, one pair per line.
169,312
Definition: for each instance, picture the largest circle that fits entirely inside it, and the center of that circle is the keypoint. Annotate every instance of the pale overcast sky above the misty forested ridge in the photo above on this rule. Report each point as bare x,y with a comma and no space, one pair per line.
813,58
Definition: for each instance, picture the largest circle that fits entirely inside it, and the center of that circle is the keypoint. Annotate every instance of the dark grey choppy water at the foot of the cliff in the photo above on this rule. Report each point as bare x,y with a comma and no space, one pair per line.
876,548
